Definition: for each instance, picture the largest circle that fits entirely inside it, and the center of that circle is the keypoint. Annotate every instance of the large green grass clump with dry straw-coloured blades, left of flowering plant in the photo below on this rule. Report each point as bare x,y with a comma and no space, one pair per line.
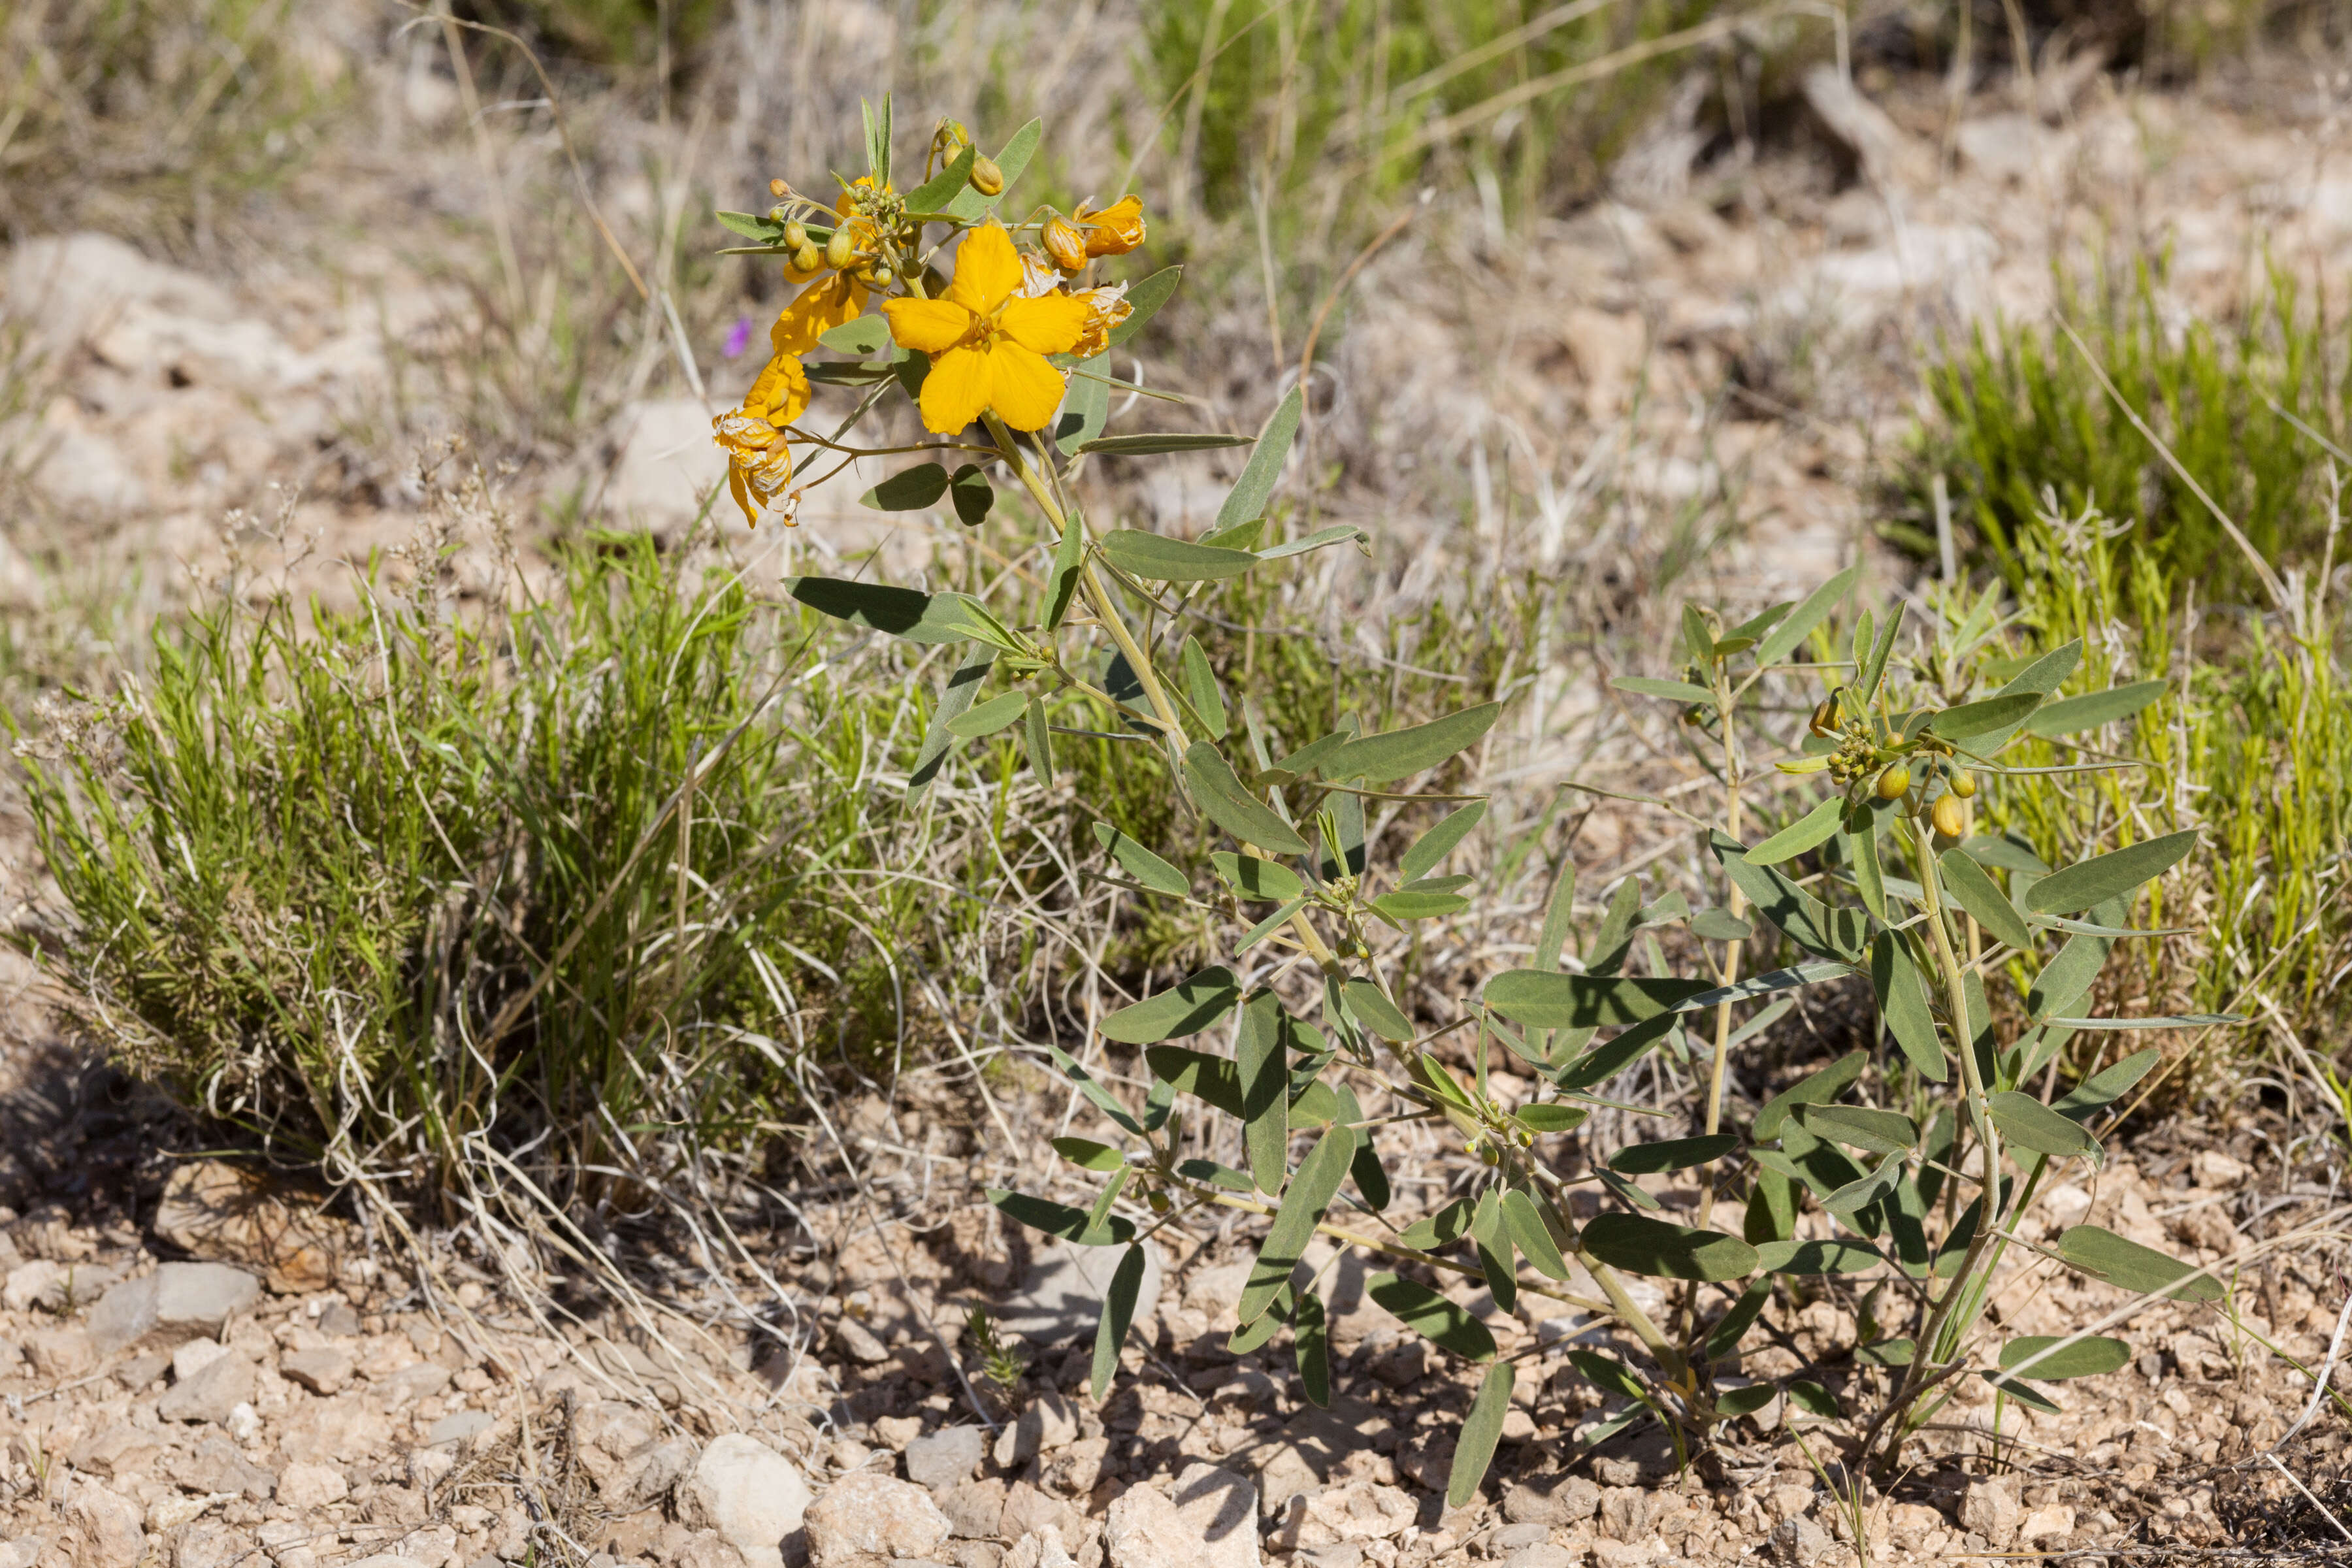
439,883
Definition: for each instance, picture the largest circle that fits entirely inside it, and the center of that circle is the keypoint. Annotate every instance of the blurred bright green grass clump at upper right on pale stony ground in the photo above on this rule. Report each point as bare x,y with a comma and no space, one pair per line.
2022,410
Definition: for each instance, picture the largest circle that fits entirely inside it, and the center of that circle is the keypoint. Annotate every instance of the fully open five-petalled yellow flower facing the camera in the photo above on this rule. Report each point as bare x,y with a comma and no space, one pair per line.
989,349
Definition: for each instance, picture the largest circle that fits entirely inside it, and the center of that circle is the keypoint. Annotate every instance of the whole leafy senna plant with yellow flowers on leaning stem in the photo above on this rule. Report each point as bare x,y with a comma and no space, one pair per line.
1906,1181
